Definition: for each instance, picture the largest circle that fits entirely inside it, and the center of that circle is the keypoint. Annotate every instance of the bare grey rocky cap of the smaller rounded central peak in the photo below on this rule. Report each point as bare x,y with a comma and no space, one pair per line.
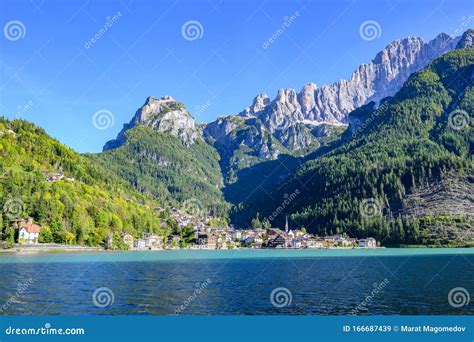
163,115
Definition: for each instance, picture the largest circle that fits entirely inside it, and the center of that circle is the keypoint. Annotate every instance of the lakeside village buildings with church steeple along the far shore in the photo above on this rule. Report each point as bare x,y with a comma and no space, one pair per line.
207,237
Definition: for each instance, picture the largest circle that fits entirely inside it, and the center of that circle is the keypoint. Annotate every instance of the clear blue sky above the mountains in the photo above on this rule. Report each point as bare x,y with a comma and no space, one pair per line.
53,75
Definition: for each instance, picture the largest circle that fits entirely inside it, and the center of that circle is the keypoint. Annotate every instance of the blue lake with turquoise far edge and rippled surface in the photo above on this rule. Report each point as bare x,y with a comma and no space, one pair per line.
240,282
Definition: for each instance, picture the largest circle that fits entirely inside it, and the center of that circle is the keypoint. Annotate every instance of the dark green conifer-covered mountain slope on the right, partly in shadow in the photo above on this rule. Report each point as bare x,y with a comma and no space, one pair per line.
420,138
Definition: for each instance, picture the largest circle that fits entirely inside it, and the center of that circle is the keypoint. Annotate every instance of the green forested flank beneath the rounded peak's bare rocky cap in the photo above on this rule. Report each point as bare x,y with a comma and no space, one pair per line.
163,167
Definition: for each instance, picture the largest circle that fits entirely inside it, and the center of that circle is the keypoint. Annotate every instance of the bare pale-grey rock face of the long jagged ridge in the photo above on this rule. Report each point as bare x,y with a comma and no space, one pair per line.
291,116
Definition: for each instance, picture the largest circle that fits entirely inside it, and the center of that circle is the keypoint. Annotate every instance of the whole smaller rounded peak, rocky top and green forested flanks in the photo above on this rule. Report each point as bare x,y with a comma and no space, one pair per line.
161,152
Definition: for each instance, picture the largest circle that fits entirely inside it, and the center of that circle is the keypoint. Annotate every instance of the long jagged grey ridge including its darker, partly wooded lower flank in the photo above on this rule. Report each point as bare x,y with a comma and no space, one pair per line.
299,123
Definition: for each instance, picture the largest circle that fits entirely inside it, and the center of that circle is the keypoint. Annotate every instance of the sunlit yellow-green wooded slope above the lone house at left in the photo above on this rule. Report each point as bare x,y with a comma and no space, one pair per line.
76,200
